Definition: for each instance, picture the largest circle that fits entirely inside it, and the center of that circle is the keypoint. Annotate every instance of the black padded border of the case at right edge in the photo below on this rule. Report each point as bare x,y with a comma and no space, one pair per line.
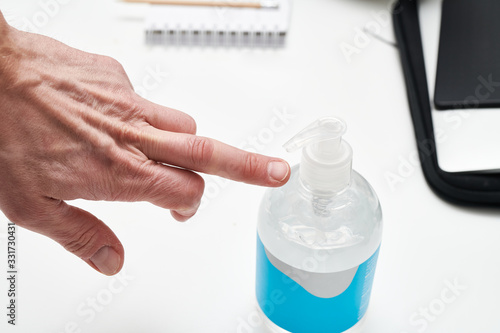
473,188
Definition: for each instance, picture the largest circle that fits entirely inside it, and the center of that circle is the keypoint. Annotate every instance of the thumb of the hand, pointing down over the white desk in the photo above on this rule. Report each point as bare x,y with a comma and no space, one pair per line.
84,235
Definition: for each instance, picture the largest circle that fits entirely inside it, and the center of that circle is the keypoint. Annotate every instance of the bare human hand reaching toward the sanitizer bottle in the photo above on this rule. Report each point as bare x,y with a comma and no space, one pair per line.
71,126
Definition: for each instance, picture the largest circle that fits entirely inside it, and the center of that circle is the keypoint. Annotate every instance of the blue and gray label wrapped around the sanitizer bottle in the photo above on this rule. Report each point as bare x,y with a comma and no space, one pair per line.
298,301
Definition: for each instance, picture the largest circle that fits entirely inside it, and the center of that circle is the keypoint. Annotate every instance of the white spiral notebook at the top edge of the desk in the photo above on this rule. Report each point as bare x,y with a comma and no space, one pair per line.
218,26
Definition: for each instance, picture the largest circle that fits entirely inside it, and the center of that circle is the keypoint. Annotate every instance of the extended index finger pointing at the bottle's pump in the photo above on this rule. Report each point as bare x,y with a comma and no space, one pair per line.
214,157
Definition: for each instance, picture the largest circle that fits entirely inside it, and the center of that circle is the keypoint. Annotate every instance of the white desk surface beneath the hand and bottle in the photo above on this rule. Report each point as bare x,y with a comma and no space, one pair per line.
199,276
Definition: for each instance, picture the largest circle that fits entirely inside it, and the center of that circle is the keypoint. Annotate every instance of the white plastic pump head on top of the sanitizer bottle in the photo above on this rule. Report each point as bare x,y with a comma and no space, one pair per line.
326,159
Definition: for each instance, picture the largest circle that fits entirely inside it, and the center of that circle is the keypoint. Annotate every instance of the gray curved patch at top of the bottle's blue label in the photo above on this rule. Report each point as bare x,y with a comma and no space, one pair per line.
324,285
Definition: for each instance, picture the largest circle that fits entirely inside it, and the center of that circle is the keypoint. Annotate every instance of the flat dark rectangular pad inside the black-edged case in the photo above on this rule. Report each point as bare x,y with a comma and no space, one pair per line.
468,73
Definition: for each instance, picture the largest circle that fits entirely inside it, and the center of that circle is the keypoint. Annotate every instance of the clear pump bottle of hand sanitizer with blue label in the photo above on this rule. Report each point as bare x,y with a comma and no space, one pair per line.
318,238
